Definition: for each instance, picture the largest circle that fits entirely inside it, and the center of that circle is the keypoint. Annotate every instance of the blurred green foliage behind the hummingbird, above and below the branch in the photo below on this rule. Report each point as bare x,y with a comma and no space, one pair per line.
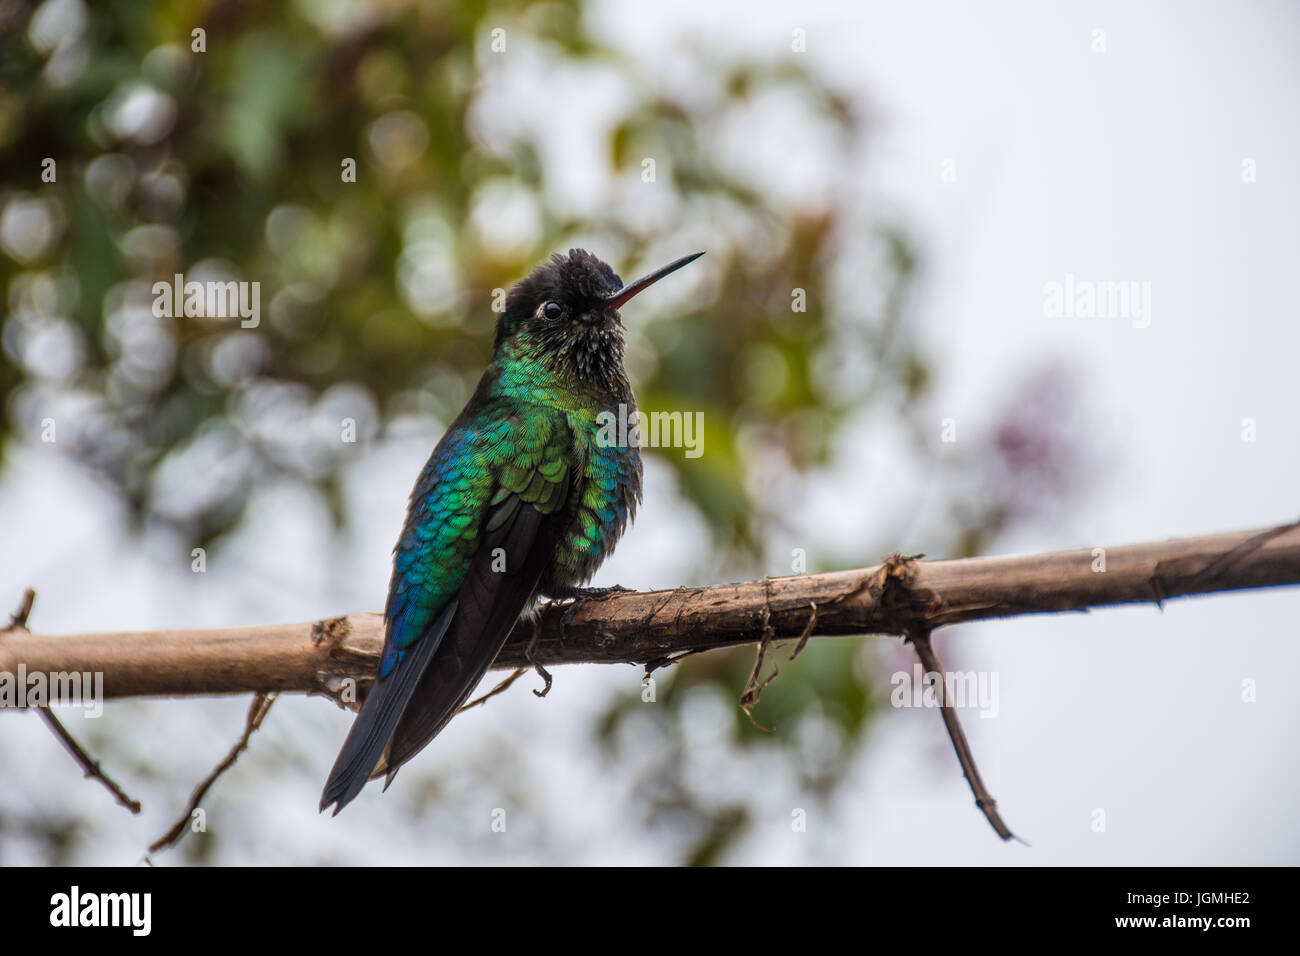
378,296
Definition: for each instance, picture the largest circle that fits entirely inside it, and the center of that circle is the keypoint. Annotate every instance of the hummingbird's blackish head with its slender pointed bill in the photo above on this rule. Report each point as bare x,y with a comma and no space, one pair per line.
566,317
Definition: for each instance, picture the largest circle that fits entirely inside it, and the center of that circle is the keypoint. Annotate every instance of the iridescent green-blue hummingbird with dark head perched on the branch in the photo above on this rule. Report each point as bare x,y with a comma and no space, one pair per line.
522,499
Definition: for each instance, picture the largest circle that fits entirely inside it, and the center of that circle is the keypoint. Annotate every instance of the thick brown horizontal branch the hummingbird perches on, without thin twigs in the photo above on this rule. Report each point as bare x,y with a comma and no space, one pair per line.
902,596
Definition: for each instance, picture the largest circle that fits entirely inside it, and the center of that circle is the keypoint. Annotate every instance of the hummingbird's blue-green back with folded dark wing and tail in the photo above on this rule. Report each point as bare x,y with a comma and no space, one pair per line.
462,577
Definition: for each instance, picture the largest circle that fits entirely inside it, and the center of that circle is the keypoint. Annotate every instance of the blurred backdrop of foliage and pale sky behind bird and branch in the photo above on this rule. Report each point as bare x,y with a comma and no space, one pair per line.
920,171
